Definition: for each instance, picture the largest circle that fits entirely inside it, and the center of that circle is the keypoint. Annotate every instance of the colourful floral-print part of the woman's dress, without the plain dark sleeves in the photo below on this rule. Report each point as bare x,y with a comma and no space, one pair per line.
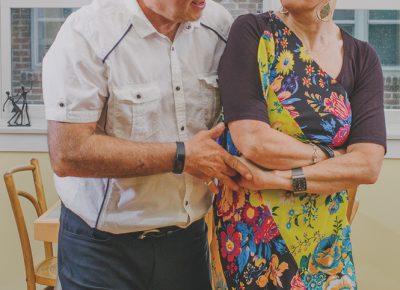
273,239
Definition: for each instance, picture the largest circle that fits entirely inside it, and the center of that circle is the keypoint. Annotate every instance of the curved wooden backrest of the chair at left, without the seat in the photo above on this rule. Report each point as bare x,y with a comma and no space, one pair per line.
39,202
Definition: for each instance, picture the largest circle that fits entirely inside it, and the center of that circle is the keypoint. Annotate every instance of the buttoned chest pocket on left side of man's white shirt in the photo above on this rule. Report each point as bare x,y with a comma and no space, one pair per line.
137,112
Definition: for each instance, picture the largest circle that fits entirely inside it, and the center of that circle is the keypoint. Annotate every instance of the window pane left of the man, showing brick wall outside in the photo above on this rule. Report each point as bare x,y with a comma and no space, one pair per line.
33,30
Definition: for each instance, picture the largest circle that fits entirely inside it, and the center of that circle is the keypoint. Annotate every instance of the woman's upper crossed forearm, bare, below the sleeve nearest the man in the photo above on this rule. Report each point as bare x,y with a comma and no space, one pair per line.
271,149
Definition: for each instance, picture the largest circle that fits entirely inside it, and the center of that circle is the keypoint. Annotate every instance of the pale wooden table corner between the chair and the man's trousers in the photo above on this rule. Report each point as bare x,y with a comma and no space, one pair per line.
45,228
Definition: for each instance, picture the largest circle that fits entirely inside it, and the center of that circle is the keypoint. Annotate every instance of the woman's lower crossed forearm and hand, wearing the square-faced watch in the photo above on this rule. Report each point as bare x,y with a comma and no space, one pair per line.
360,165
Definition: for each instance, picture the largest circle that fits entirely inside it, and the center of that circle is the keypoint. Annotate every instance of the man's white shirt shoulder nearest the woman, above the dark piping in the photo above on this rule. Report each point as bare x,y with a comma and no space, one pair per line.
217,17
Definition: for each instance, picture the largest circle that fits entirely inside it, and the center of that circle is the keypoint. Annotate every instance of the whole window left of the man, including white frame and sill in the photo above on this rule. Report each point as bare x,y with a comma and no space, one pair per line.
27,30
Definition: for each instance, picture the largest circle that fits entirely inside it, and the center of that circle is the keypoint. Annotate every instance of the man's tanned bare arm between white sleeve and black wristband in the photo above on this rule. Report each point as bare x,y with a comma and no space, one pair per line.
76,150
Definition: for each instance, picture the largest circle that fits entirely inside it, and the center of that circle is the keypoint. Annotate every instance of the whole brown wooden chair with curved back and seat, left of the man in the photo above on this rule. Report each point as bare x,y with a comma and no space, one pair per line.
45,273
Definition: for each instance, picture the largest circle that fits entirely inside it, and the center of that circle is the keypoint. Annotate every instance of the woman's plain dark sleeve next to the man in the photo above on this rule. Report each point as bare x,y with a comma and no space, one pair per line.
239,76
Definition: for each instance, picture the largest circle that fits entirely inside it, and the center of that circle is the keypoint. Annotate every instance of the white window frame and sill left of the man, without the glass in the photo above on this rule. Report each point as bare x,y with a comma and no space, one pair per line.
15,138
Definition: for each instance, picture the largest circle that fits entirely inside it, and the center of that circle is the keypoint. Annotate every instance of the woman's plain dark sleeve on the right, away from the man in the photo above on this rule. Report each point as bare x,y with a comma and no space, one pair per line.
368,124
